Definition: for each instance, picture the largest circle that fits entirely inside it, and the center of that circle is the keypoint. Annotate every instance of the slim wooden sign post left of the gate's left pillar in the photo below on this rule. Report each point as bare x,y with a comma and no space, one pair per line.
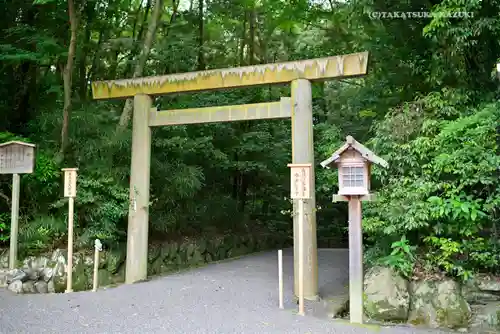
70,175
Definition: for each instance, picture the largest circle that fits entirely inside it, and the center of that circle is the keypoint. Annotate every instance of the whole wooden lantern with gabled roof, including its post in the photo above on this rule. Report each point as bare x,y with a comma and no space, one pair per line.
354,163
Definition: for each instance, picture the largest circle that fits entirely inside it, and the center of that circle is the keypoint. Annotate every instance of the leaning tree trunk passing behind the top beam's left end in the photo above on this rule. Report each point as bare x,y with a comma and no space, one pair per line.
139,66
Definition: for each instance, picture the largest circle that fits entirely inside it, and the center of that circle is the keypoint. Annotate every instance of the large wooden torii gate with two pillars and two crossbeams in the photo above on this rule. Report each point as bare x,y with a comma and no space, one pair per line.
298,107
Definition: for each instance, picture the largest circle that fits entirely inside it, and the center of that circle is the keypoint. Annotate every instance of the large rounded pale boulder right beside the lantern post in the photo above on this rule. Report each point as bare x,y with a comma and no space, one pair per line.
387,296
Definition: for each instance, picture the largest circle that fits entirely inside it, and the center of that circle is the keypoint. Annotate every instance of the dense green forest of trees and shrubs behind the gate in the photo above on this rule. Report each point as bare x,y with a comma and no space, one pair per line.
429,106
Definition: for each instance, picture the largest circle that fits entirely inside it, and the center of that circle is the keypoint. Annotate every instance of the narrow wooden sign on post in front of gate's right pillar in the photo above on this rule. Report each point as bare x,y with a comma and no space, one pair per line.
300,189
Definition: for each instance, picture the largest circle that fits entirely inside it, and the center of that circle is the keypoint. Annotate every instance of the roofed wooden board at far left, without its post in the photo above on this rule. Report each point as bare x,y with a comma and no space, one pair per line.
17,158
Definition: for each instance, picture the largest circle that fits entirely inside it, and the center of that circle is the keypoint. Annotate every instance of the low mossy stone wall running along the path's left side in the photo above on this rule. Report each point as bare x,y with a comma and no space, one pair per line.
47,273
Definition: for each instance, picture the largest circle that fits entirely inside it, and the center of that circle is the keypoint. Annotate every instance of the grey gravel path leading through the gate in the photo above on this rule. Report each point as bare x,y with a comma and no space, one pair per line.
239,296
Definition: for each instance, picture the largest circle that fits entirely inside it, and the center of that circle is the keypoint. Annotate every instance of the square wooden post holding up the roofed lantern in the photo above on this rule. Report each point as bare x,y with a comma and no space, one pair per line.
355,261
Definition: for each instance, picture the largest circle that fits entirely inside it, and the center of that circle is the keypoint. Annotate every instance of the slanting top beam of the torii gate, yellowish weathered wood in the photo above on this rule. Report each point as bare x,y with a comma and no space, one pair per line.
350,65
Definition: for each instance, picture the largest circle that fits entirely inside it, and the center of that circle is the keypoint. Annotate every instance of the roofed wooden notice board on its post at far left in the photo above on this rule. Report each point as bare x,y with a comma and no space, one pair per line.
16,158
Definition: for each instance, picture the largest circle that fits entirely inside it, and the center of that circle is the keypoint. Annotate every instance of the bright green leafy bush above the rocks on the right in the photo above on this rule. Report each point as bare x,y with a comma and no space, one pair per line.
442,186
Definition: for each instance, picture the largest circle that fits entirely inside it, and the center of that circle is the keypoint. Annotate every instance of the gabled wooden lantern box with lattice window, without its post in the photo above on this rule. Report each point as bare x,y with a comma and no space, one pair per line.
354,163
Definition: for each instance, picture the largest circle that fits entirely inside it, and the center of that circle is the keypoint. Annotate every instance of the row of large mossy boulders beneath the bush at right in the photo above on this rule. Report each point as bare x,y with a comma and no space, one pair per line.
473,306
